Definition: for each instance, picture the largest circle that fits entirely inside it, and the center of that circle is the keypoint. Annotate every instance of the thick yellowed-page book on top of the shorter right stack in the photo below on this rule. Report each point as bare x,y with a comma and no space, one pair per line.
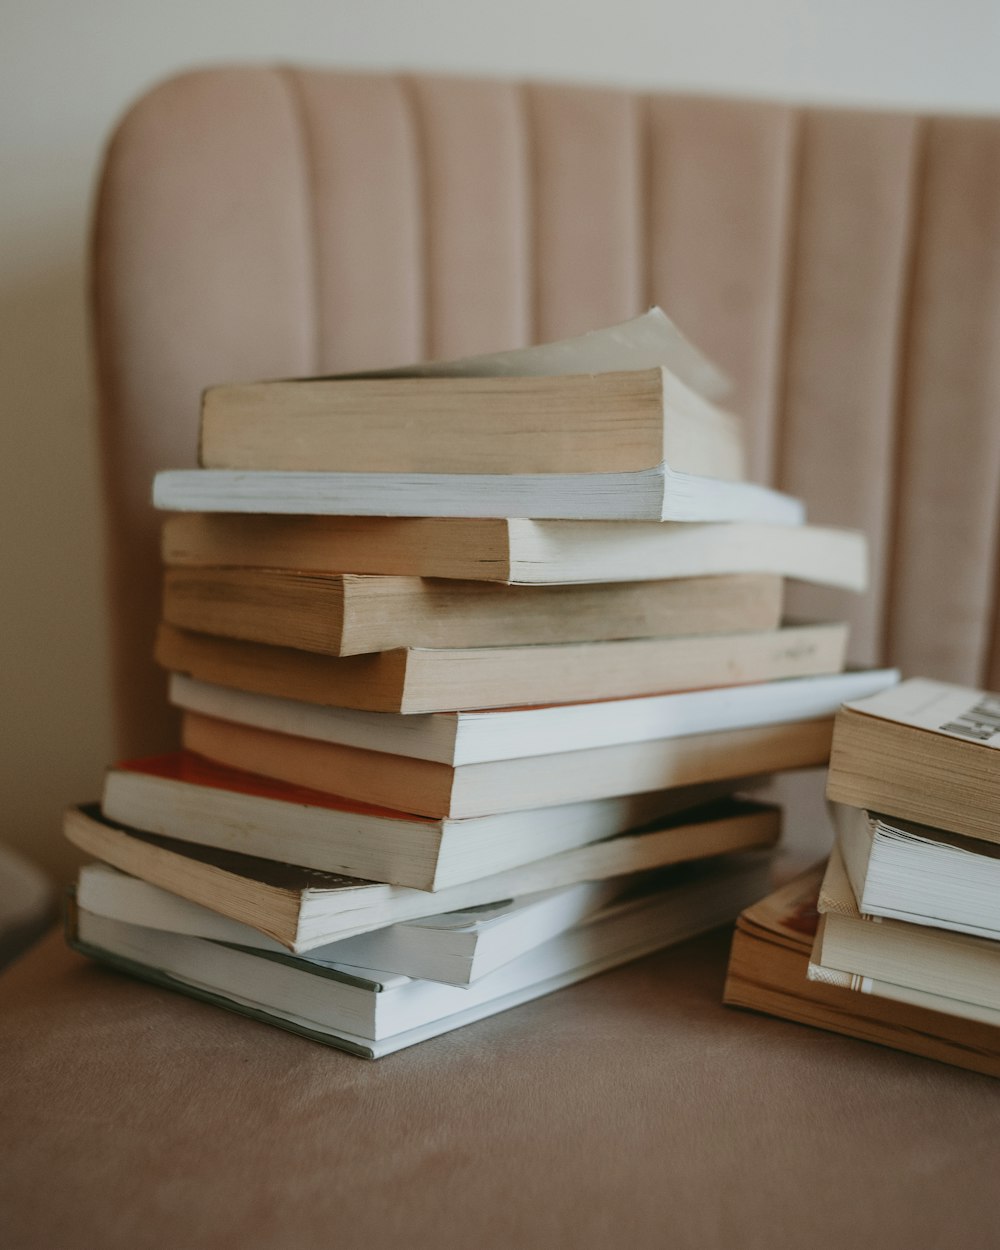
924,752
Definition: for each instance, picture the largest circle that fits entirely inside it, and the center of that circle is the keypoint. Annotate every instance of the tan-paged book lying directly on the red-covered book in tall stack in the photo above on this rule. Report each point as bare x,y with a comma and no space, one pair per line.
483,791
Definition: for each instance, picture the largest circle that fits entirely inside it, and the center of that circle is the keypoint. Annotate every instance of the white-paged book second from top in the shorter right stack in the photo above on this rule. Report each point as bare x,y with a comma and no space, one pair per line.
907,872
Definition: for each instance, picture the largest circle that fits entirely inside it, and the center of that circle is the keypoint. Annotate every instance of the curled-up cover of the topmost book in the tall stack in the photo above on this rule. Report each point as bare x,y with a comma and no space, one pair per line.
647,342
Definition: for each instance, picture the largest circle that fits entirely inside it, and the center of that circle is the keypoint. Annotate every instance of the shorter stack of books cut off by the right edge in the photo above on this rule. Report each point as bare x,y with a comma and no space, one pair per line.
898,939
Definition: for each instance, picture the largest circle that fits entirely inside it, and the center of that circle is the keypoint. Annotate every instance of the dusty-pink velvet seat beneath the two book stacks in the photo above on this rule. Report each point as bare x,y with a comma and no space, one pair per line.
632,1111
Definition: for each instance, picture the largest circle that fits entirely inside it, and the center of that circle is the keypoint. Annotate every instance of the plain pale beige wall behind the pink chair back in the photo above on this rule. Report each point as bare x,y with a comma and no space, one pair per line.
69,68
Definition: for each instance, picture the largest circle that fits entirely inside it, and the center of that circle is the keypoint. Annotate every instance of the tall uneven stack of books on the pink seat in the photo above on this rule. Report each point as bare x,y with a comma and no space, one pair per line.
472,661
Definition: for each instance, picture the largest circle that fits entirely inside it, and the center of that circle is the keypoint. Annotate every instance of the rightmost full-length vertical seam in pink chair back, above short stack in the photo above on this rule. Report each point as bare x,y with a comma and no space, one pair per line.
917,194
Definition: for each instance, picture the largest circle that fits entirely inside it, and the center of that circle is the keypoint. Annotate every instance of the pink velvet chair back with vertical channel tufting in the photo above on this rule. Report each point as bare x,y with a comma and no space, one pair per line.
843,267
